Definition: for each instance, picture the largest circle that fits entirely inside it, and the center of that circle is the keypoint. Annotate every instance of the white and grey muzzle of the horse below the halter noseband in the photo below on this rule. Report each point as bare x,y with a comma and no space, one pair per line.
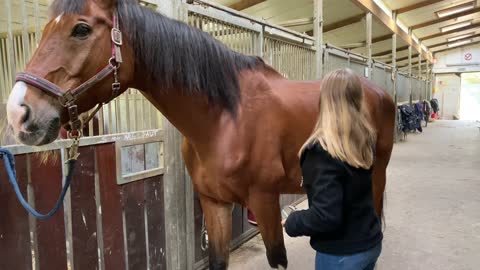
31,125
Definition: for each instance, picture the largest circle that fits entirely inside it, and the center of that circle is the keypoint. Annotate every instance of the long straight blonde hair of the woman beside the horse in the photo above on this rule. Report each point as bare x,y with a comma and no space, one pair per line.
343,127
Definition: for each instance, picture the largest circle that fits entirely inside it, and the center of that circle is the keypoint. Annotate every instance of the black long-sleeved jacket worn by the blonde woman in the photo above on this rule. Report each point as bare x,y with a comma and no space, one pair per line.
341,218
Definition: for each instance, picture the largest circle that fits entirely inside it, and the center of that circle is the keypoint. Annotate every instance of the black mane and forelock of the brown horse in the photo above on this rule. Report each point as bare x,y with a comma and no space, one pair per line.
175,54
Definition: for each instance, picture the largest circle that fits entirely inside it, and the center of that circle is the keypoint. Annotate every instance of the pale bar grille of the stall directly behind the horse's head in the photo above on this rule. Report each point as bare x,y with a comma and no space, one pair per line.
24,22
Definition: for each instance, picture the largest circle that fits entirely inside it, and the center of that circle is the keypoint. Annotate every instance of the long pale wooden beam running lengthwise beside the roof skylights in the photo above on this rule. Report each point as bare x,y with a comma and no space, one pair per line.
385,19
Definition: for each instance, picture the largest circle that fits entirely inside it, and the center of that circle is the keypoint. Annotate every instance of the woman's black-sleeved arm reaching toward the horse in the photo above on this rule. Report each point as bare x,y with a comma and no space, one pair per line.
322,175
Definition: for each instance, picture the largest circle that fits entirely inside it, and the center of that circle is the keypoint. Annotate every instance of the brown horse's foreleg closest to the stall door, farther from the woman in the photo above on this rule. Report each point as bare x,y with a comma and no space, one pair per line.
218,218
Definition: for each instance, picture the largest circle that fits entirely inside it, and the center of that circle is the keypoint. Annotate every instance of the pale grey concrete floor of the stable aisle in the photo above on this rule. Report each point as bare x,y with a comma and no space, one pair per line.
432,207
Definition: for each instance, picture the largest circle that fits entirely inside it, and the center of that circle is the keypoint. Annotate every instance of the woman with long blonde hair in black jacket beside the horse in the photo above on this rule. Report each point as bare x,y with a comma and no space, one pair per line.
336,163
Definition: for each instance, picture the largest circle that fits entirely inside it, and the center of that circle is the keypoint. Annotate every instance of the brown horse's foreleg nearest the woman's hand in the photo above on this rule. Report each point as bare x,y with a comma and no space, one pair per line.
266,208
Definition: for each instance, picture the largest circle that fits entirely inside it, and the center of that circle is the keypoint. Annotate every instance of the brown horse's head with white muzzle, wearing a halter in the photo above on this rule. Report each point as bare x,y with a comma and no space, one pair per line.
76,46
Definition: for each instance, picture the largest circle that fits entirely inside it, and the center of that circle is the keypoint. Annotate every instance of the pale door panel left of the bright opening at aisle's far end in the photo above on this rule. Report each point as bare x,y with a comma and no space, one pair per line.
448,94
